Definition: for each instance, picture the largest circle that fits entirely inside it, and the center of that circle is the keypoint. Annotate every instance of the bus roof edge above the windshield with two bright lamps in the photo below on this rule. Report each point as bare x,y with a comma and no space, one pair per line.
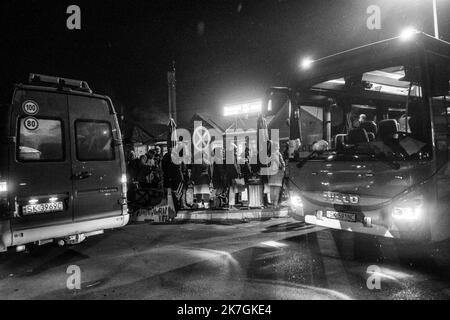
362,58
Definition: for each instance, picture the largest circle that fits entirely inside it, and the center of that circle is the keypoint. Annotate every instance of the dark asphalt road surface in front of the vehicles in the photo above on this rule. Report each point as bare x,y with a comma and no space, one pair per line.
275,259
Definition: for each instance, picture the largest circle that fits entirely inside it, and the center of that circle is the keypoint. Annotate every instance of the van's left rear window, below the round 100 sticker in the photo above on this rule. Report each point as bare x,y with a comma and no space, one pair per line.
41,140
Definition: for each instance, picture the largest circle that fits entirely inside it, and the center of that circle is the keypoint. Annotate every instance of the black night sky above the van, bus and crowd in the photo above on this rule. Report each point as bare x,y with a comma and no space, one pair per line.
225,51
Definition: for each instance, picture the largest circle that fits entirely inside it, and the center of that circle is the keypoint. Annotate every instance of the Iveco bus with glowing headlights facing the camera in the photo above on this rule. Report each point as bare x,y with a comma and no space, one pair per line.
373,124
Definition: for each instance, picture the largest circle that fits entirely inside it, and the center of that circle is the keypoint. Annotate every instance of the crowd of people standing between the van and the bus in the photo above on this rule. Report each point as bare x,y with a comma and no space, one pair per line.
217,185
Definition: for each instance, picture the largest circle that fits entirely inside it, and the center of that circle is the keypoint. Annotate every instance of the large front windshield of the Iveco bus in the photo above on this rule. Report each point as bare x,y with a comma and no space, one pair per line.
372,115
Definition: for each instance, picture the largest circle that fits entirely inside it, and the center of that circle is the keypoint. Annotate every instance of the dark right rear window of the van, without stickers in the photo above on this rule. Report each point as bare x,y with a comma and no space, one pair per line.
94,140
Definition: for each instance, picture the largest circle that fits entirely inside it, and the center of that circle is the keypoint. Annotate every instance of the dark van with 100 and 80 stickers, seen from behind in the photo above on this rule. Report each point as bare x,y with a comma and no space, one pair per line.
62,166
